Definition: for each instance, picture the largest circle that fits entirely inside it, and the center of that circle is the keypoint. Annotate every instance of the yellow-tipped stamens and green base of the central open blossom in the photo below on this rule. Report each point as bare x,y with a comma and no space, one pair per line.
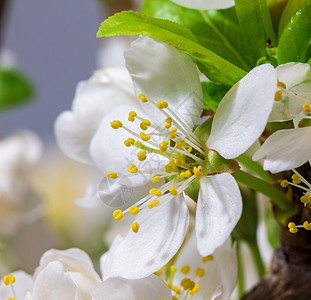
187,157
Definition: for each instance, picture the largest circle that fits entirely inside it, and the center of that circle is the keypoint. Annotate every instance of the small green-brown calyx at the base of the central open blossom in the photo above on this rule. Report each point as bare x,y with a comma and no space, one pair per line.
214,163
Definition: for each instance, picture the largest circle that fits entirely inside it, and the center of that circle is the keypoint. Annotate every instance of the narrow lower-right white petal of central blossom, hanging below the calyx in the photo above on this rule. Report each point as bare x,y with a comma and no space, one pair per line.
219,208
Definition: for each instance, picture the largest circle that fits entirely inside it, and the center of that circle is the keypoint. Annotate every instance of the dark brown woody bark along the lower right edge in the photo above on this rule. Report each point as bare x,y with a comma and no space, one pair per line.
290,271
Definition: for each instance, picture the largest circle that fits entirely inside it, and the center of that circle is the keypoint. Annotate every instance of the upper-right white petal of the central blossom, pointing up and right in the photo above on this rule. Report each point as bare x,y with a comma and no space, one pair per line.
243,113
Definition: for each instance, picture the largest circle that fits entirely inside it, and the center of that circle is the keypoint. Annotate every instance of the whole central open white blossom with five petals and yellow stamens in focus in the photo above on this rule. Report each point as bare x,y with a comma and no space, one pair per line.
169,147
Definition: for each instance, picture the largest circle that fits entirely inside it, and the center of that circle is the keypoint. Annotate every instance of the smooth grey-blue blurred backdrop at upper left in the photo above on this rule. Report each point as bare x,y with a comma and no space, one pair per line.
55,43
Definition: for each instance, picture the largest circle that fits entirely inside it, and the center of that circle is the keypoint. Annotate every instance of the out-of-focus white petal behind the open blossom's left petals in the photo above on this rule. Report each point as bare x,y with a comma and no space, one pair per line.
94,98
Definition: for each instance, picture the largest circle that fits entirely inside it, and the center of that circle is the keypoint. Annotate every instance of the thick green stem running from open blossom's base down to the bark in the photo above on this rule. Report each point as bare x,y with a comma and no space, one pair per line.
276,195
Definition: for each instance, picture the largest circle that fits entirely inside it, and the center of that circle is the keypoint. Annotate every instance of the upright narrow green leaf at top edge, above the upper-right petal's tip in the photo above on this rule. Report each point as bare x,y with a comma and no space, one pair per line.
256,25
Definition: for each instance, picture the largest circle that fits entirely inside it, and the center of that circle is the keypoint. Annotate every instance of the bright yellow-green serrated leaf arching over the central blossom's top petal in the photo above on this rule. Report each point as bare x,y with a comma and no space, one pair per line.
134,23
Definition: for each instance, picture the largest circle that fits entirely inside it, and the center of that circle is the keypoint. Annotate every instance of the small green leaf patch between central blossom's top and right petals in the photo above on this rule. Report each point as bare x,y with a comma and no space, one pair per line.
212,94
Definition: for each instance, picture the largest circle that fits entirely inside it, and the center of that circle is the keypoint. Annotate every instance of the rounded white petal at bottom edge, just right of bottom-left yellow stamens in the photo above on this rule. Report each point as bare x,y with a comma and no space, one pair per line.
55,283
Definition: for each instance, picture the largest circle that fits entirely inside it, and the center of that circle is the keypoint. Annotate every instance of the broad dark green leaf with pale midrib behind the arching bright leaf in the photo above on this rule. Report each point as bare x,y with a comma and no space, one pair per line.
217,30
